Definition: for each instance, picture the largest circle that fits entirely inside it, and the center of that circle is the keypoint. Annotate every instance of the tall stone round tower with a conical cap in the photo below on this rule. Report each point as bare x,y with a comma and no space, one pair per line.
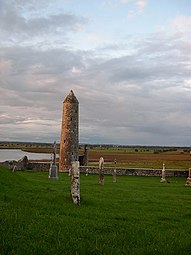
69,144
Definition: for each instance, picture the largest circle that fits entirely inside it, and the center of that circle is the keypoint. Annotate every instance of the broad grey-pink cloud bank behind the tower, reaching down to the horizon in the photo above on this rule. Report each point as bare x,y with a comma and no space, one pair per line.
140,98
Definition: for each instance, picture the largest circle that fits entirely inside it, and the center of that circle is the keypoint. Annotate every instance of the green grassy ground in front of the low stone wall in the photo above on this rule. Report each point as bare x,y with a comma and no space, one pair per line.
136,215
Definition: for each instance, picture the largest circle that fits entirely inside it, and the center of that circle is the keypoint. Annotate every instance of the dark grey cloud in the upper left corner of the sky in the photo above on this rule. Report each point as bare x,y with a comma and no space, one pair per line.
15,25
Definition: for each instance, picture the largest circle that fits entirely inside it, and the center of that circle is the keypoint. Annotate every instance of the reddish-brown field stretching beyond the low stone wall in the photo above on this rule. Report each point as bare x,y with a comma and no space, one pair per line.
132,156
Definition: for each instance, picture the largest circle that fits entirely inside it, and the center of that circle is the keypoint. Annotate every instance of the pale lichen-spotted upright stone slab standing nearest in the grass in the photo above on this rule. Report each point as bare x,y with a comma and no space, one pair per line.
75,182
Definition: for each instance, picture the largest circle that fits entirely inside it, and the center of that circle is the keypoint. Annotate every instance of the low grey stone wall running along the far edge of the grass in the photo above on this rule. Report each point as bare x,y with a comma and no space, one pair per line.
44,166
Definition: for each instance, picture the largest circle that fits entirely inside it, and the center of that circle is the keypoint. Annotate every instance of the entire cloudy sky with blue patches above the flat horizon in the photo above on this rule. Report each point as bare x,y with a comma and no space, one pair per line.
127,61
